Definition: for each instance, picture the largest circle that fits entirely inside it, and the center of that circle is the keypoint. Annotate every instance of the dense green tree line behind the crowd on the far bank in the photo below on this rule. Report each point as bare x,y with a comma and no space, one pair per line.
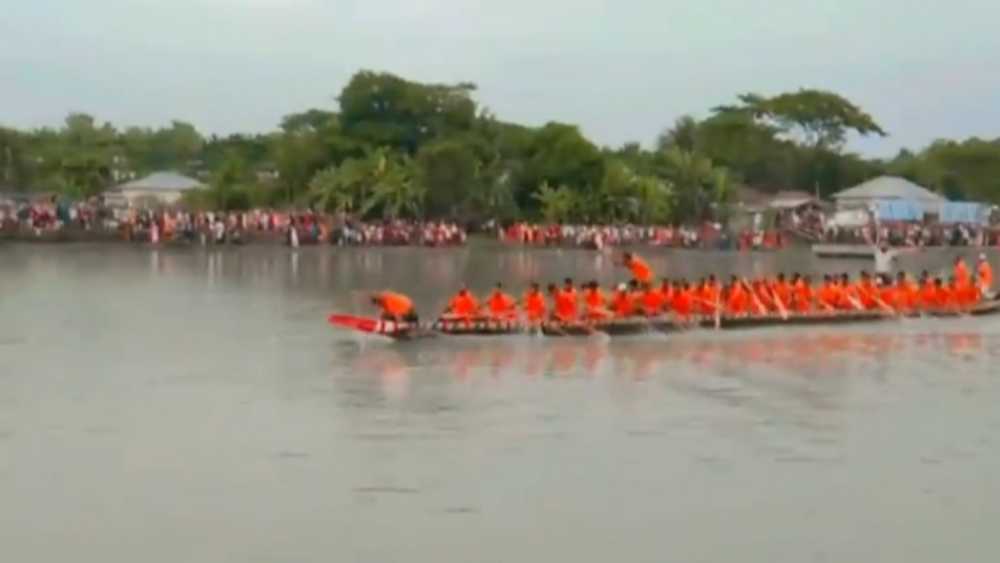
393,147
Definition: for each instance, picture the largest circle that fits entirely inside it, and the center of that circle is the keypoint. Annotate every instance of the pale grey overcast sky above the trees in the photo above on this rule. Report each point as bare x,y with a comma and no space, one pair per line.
622,70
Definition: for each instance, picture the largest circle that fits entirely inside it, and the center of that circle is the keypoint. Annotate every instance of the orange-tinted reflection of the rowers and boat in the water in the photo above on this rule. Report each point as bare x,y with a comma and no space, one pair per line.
828,353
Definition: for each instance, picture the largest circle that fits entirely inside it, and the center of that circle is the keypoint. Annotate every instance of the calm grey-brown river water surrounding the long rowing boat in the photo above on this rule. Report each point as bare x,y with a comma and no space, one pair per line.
191,405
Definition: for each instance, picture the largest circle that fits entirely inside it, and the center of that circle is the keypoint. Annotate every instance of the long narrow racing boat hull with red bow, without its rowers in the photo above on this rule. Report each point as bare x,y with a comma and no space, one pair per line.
632,325
